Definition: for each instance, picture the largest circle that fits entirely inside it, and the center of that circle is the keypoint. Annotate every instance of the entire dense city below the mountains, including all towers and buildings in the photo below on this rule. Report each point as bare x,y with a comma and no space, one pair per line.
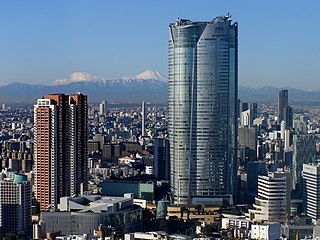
204,165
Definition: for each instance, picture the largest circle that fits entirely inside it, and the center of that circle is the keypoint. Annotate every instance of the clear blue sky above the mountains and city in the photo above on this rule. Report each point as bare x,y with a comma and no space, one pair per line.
41,41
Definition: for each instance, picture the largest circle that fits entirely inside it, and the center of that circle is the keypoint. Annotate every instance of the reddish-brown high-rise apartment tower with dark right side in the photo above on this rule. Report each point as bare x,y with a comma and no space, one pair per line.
60,149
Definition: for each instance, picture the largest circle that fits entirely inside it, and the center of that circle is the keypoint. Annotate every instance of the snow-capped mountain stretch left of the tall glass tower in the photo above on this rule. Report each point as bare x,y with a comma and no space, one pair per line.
146,86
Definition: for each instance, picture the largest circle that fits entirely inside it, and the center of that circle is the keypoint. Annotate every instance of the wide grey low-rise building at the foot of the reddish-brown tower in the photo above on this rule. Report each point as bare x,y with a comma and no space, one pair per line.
83,215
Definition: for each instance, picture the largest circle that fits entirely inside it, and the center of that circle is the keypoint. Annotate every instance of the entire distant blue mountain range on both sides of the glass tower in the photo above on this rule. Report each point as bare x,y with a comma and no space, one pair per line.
147,86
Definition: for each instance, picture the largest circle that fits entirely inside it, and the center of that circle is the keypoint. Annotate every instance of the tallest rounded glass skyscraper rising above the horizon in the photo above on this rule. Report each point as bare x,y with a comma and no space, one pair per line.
203,93
